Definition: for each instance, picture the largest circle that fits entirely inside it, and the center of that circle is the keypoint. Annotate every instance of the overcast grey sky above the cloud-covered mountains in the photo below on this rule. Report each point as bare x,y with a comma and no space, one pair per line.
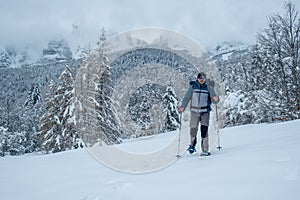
33,23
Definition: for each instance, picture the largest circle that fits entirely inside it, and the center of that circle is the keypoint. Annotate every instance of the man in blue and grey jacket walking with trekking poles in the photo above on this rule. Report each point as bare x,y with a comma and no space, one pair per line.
200,95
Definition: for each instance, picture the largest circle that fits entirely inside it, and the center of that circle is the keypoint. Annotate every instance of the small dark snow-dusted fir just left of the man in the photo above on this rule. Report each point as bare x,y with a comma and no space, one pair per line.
171,102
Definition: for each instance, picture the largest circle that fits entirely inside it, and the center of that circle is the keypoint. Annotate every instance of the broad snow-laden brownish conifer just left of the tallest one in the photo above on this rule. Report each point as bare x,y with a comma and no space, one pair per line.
58,130
